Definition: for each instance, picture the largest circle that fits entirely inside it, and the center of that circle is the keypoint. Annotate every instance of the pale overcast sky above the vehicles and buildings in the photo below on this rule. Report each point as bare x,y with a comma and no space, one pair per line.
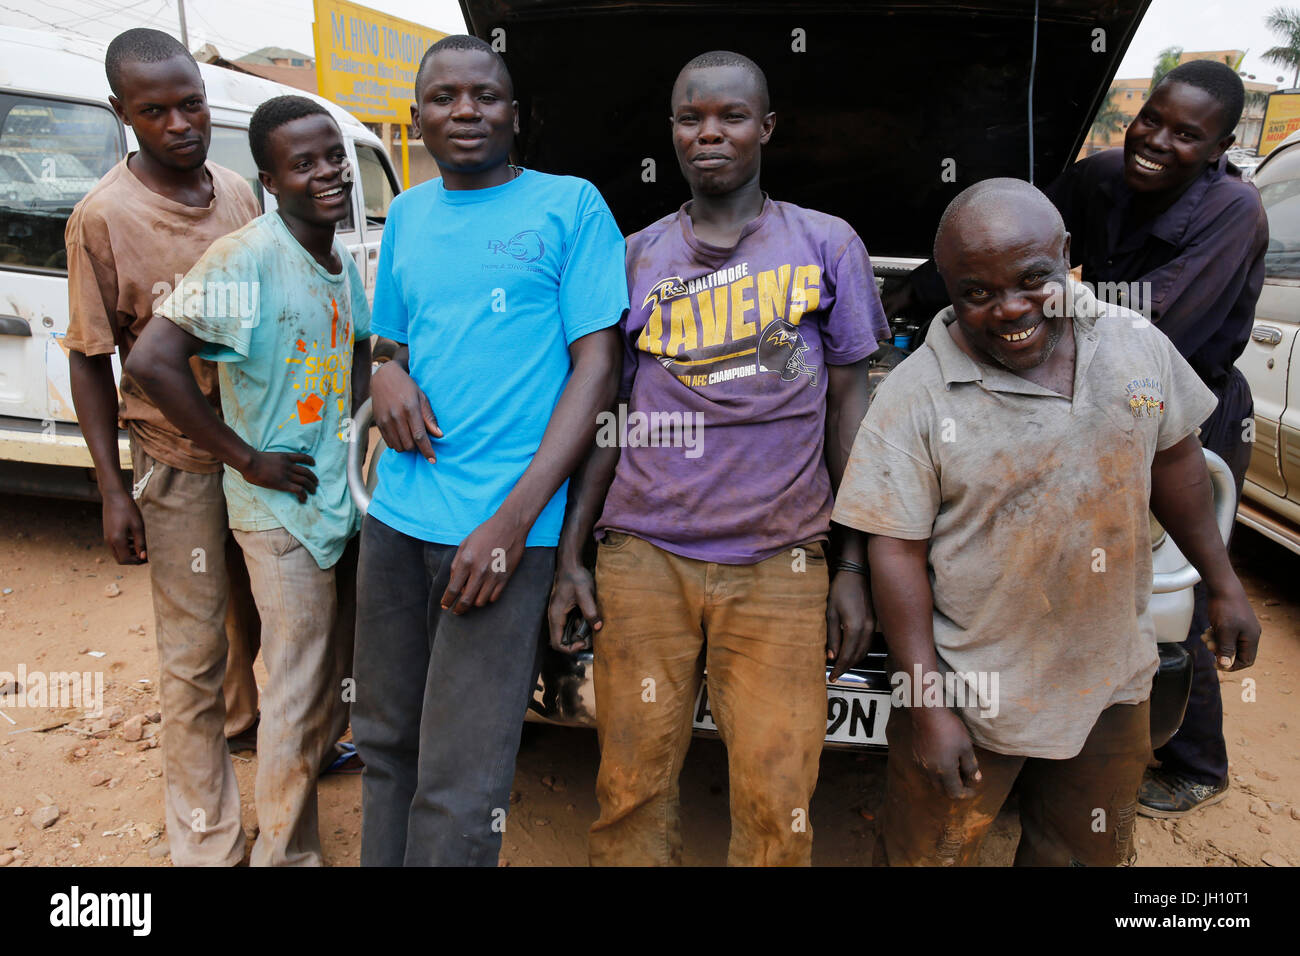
240,27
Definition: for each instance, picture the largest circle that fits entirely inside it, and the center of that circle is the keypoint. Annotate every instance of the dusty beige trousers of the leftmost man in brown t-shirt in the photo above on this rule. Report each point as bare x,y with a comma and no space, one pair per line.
187,535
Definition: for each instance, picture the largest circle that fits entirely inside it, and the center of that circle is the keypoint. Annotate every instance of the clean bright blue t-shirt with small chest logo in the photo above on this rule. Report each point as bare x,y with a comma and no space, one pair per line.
489,288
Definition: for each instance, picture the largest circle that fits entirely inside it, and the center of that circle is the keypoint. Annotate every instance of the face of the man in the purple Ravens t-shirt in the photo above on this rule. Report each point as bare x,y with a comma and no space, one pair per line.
720,124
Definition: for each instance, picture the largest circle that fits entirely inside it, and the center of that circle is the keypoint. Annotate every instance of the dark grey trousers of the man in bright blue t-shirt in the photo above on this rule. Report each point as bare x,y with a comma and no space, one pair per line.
440,700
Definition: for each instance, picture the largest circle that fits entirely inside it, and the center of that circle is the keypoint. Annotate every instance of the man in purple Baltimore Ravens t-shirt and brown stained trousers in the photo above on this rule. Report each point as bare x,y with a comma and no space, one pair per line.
744,386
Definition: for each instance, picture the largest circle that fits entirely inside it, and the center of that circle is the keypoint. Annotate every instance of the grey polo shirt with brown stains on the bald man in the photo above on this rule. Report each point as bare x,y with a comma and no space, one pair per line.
1037,512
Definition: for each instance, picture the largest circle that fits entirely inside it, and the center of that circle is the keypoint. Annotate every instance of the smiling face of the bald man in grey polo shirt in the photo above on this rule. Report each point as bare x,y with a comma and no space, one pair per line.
1003,261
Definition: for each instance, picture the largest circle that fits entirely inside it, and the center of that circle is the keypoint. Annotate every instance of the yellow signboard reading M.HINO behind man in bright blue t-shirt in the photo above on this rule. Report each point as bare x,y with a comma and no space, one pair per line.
366,60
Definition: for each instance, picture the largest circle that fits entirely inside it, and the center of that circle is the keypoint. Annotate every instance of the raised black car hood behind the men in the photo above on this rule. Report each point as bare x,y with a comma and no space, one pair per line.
883,101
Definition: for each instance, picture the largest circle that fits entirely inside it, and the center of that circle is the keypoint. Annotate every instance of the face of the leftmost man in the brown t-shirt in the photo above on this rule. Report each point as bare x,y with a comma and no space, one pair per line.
166,105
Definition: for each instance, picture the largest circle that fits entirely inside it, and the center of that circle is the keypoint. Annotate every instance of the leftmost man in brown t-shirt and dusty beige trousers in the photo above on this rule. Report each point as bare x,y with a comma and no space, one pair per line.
129,240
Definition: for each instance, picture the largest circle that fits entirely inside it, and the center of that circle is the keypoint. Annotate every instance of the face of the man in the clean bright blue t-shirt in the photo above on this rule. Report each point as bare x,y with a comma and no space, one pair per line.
466,114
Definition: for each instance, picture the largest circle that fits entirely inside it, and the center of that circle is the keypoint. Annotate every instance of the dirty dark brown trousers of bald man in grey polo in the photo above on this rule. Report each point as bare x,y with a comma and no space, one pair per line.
1060,801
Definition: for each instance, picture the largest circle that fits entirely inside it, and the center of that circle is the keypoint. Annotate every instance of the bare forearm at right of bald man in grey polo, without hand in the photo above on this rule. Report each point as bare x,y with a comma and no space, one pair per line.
1184,503
